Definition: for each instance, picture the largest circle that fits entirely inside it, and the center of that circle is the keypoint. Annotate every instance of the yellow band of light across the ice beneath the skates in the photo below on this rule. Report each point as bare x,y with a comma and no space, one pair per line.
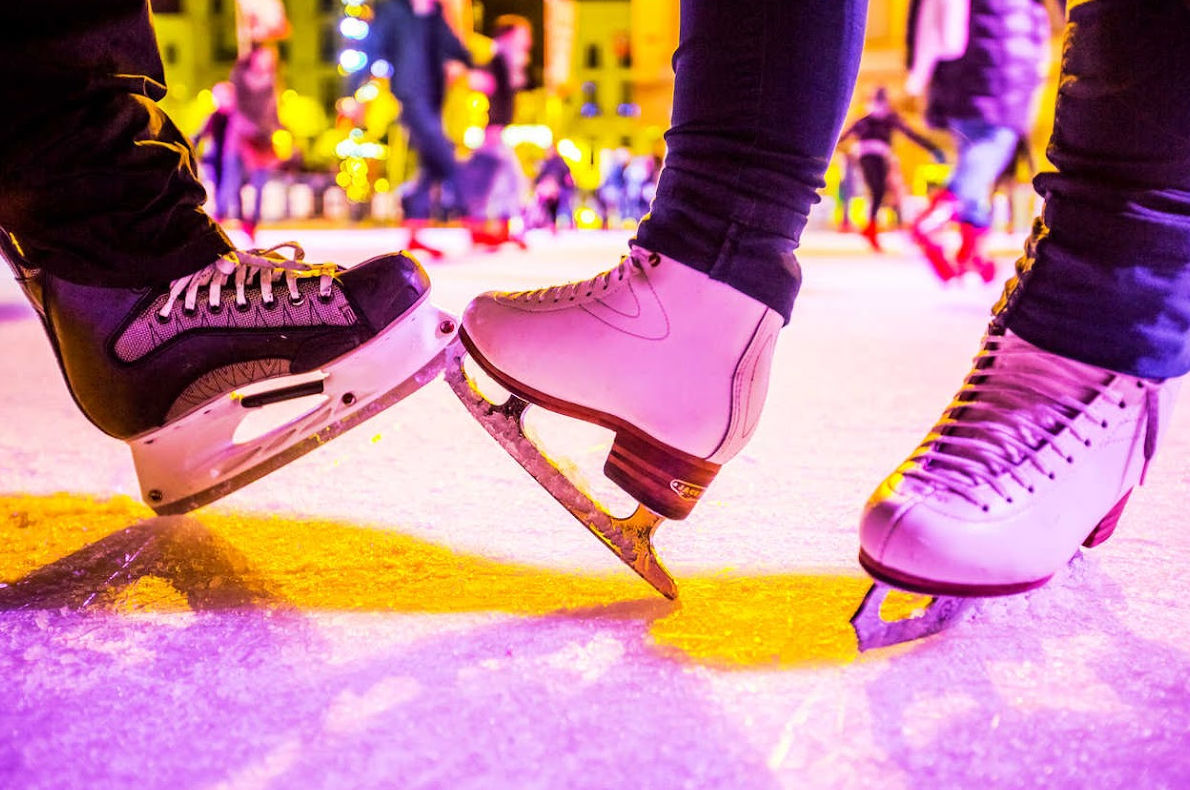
58,551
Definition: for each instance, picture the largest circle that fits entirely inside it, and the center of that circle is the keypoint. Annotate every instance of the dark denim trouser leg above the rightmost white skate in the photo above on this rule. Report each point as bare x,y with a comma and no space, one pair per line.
1107,279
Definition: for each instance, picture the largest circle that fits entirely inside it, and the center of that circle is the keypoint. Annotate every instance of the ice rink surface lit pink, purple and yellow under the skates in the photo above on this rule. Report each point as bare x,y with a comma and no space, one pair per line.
405,609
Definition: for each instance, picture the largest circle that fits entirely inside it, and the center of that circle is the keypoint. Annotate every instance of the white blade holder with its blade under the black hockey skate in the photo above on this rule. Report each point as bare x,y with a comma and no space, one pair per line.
204,457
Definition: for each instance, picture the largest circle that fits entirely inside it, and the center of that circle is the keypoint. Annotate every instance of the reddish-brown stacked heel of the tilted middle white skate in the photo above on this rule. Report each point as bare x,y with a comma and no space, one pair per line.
665,480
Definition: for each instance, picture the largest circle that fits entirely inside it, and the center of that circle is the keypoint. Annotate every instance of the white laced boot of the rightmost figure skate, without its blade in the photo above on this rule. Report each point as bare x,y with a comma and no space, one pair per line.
1036,456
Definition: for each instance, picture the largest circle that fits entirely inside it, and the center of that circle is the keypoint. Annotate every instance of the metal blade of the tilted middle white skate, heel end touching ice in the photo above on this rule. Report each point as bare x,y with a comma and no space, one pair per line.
630,540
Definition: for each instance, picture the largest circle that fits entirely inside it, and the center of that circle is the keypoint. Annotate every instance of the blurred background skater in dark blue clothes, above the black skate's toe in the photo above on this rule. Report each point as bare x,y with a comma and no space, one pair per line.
418,45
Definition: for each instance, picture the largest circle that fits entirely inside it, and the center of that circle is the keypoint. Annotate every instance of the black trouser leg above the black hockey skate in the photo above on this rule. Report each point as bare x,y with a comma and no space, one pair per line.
96,181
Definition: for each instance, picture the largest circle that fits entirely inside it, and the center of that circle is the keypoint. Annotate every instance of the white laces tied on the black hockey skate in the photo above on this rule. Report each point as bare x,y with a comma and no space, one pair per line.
242,269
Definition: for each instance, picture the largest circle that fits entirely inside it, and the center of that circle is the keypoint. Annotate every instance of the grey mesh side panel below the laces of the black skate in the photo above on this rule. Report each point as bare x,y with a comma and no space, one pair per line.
148,331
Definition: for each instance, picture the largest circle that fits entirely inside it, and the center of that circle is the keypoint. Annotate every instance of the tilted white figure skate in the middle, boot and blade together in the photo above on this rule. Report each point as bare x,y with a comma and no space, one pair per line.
672,361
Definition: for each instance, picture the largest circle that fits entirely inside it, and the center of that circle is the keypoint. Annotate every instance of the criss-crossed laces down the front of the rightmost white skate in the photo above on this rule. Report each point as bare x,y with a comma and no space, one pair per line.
1016,403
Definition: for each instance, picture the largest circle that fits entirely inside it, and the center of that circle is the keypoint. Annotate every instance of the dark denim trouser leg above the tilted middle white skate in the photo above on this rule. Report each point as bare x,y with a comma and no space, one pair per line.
760,96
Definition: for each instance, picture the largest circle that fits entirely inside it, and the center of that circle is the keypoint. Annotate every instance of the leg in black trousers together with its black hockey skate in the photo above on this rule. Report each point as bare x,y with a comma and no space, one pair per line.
152,312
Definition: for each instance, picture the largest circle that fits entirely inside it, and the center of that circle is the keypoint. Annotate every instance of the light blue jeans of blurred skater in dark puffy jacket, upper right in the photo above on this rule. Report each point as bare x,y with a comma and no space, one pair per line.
985,151
